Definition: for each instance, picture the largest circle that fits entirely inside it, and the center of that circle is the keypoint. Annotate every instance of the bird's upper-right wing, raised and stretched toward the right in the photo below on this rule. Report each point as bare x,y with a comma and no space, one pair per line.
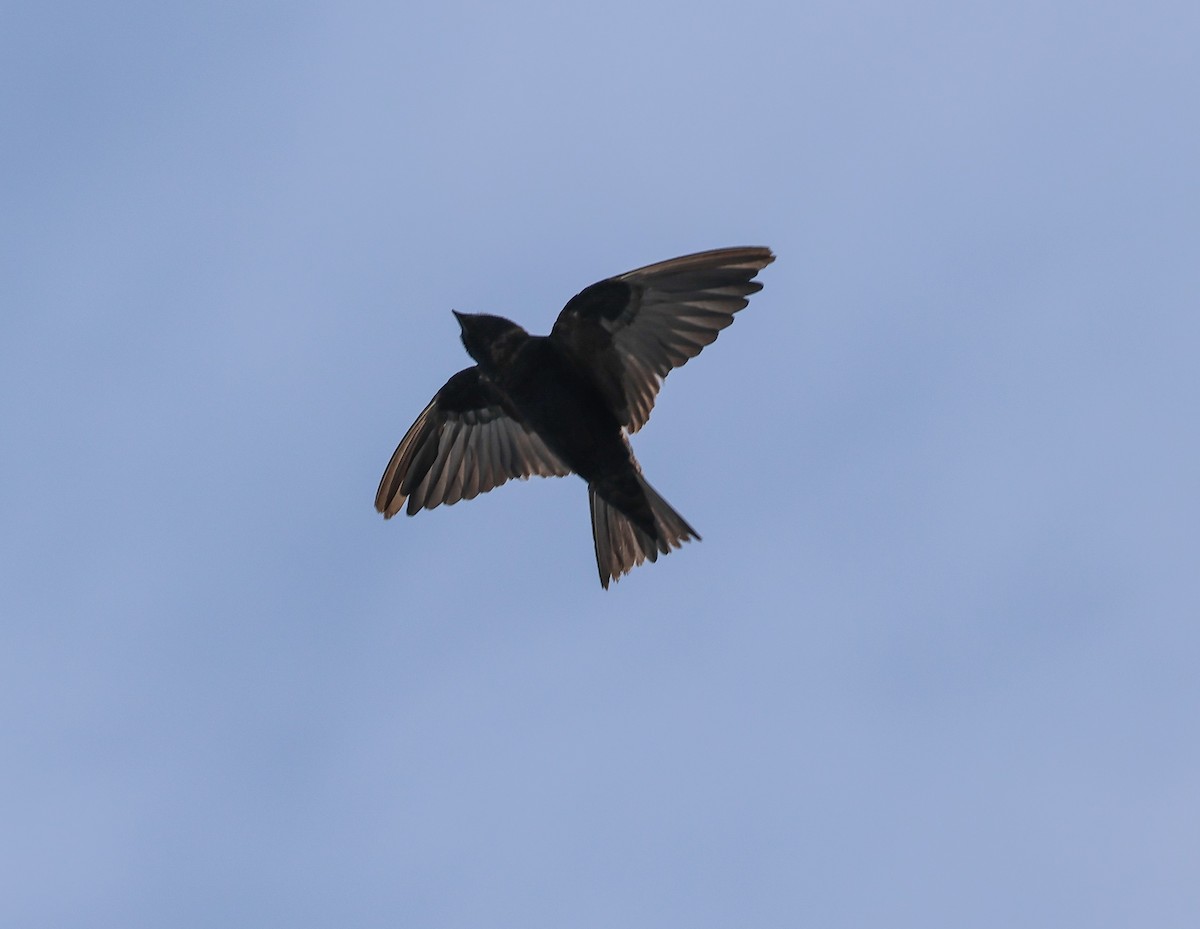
634,329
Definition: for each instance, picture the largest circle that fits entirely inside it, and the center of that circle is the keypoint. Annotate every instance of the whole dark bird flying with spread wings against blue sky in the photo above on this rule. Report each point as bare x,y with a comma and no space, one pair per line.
567,403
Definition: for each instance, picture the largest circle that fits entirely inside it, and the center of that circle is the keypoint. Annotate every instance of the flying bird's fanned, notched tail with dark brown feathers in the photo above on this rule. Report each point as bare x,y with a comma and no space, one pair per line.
623,544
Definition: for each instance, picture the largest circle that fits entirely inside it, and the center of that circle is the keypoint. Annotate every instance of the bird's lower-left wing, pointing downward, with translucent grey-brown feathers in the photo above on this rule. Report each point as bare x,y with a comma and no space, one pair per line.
463,445
